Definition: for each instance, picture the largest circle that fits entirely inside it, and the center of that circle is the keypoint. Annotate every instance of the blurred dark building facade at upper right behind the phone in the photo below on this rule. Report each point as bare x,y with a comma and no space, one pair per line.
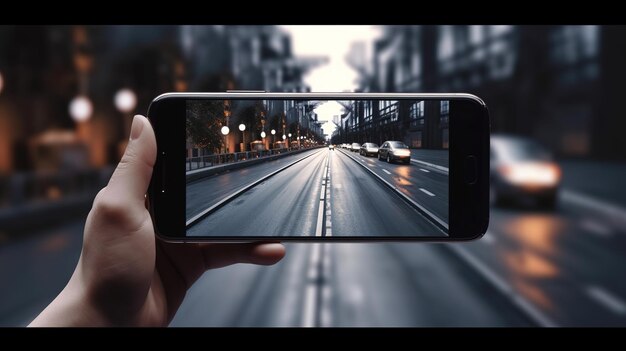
557,84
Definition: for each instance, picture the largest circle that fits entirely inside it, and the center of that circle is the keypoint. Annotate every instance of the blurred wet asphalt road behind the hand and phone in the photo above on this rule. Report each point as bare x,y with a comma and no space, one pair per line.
562,268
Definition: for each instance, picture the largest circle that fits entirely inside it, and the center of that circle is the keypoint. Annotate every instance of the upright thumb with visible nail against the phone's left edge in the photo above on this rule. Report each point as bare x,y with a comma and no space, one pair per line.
132,176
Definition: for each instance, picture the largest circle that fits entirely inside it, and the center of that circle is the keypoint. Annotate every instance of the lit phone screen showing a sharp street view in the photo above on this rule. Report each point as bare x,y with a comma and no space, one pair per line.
347,168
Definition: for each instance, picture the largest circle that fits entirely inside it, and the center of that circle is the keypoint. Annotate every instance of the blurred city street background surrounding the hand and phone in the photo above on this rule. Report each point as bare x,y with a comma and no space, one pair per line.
555,251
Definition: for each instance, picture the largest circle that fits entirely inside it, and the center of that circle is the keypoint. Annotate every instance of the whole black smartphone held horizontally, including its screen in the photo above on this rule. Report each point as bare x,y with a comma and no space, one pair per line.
247,166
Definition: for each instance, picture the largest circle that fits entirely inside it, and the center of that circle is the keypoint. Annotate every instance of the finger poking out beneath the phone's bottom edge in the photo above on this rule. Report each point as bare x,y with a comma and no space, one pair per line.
220,255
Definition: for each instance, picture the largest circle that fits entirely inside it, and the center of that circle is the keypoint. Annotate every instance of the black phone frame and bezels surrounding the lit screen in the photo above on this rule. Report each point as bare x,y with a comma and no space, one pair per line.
468,202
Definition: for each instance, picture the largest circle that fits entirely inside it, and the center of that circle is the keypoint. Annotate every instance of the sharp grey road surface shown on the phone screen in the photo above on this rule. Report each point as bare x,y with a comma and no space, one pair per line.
352,201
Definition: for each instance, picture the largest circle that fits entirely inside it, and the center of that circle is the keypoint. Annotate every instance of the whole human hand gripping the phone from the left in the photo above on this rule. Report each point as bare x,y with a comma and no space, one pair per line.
125,275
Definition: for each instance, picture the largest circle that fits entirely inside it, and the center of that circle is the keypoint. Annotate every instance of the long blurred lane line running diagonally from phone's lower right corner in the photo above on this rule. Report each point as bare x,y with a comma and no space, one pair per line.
531,311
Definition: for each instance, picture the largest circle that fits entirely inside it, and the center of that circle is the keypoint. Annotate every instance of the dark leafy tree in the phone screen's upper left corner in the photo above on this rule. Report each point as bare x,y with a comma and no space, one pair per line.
205,119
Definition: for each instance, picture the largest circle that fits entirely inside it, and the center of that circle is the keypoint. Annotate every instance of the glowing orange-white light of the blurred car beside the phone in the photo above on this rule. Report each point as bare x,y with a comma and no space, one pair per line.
531,174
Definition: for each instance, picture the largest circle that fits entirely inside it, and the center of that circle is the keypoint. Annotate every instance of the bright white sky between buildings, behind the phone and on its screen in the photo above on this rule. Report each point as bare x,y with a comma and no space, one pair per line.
333,42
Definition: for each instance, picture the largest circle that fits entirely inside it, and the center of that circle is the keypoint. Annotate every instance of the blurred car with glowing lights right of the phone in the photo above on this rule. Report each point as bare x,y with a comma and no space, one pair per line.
521,168
